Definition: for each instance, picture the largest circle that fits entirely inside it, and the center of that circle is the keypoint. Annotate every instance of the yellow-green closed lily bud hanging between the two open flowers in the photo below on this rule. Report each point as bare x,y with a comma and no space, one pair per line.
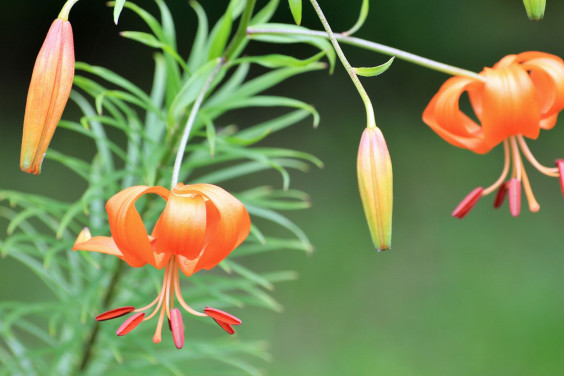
374,169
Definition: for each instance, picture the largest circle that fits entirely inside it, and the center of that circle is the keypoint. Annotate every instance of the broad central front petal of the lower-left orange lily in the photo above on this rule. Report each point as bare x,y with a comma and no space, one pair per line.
181,229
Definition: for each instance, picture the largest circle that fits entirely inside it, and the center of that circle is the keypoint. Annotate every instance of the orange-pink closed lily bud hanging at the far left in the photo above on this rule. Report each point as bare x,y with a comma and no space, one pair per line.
48,93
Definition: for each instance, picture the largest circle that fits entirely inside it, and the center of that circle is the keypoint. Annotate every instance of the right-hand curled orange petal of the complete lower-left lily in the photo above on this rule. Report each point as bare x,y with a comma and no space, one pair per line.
233,223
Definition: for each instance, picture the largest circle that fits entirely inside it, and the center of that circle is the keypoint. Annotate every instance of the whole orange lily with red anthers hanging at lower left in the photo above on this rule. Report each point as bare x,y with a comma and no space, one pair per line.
199,226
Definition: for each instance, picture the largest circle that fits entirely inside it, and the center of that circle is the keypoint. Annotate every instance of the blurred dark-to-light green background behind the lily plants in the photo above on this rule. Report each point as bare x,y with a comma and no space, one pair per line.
479,296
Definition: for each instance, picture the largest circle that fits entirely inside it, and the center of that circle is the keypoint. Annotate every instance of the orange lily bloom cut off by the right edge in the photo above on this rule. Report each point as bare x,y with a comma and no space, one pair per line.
518,97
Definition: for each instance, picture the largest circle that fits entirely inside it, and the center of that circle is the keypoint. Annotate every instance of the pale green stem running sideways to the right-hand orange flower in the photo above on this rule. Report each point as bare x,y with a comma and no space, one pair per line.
377,47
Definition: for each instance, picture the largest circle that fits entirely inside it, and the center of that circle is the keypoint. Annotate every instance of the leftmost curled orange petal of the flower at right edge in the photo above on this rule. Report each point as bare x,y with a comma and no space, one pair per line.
443,115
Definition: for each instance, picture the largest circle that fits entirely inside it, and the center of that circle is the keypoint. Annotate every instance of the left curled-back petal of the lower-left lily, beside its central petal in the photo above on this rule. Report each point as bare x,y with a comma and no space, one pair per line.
128,230
